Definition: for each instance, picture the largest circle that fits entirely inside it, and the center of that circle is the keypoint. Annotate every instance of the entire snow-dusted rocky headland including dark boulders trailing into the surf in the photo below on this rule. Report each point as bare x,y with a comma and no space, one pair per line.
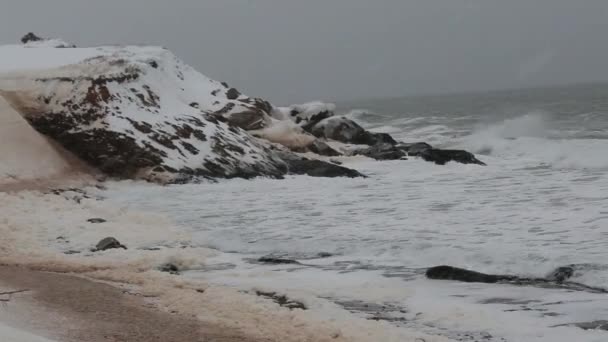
139,112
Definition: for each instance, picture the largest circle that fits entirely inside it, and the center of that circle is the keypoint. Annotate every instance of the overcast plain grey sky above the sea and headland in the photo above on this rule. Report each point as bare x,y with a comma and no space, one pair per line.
299,50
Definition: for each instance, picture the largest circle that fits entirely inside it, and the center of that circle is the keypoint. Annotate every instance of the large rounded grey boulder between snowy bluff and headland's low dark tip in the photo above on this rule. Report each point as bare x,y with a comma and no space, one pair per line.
348,131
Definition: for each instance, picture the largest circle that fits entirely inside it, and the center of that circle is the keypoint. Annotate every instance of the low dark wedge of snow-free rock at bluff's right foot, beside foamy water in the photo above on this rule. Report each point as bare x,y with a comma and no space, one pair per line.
317,168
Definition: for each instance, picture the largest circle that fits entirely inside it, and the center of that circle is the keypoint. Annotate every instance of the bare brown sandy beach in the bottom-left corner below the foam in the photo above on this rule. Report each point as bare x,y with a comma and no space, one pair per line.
68,308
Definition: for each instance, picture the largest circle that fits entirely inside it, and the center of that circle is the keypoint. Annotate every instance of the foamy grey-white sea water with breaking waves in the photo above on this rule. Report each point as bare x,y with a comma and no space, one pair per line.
542,202
